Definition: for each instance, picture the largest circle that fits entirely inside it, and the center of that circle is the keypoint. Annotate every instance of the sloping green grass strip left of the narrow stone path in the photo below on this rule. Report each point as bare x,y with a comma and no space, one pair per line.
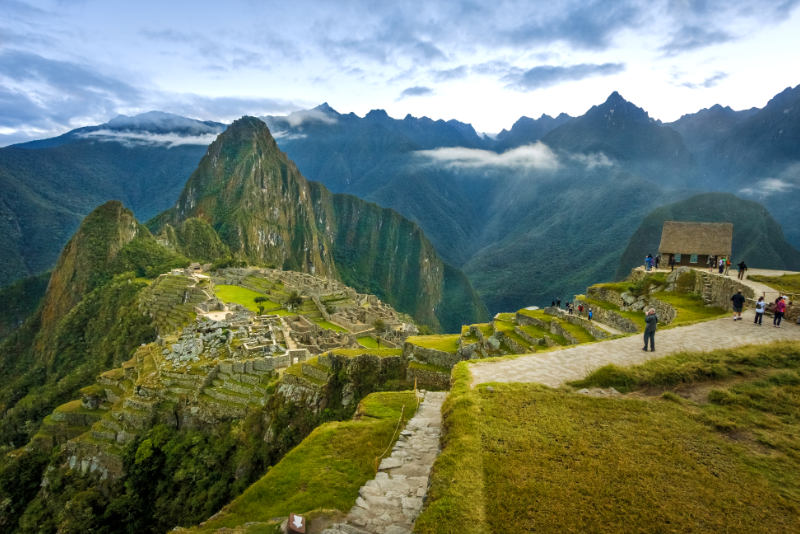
326,469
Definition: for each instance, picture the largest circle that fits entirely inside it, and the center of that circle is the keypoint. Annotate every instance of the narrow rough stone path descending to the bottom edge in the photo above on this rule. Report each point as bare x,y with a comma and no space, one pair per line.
389,503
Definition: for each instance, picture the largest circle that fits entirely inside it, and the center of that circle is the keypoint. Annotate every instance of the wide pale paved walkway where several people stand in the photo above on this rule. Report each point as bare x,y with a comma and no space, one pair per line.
556,367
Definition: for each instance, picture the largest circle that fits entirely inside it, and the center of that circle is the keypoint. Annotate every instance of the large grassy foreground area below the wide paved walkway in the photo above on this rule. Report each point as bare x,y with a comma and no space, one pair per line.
706,442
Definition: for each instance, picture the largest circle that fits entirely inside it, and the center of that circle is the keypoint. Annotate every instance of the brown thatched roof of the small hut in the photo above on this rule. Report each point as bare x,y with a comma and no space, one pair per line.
696,238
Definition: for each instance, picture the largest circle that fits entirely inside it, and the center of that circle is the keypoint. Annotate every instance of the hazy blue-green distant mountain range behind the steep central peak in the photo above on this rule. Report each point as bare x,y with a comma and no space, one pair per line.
538,211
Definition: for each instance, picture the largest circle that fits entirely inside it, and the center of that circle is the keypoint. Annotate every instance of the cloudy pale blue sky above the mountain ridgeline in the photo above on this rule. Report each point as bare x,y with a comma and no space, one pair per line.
71,63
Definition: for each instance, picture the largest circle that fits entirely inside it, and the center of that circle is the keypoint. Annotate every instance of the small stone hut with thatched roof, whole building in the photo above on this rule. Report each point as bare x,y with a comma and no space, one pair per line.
691,243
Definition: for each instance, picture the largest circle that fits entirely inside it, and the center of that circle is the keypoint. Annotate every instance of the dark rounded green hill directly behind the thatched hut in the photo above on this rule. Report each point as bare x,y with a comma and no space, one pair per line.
757,237
